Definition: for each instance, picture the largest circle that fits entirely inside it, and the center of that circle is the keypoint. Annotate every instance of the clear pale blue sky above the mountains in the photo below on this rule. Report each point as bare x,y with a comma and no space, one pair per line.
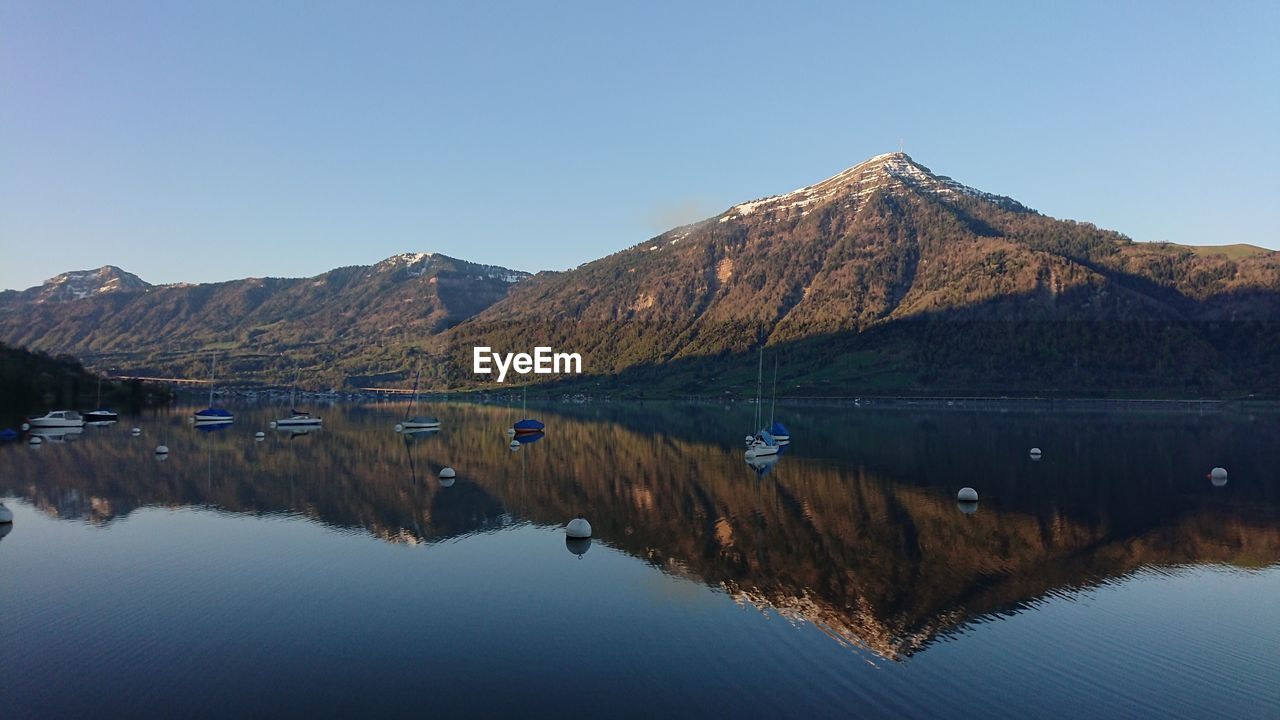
205,142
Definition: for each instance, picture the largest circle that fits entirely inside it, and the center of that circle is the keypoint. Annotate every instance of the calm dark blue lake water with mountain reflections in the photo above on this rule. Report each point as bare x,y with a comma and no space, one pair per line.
333,575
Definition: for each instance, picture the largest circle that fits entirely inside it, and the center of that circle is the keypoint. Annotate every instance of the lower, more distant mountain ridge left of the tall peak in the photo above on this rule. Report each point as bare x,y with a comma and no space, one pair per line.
264,326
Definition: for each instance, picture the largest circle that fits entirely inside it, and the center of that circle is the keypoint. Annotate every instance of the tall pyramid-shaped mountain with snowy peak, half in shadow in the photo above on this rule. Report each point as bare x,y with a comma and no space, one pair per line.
889,275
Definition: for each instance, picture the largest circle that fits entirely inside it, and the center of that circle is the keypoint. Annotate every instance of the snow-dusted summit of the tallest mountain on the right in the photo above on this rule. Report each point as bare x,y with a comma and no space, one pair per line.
892,171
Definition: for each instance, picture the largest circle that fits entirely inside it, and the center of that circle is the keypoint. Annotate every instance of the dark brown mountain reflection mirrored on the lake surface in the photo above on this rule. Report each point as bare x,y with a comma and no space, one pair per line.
856,528
